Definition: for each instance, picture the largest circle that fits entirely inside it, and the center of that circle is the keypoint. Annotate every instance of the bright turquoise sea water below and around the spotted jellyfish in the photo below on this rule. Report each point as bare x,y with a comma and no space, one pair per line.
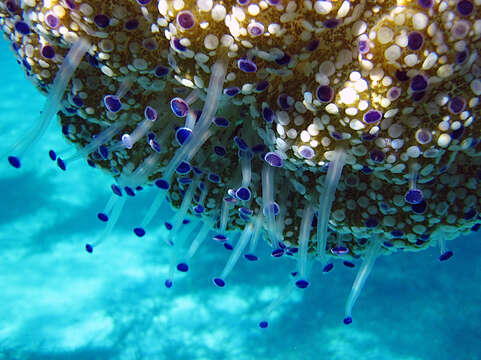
58,302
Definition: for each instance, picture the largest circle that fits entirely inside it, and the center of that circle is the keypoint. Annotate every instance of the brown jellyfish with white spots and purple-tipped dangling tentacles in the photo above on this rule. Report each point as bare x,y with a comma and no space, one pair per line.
337,131
